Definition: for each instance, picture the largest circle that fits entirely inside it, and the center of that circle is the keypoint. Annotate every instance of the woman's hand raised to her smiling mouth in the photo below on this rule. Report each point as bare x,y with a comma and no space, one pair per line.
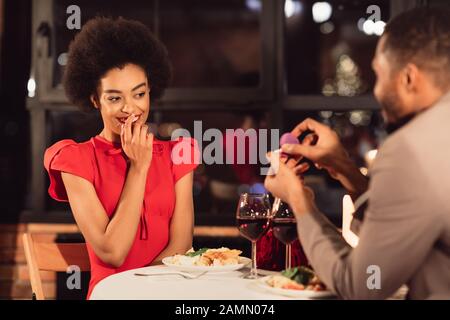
137,143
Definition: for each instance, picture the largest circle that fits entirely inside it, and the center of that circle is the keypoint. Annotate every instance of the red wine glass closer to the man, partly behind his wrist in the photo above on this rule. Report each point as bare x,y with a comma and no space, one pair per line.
284,227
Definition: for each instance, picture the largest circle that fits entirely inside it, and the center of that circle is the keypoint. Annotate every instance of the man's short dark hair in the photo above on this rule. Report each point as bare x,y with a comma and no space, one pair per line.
422,36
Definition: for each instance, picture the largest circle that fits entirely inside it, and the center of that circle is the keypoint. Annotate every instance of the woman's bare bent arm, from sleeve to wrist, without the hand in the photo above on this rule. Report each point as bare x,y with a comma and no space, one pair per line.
110,239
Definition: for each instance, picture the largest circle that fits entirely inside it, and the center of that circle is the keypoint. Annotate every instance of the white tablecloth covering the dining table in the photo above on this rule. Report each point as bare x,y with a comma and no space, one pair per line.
210,286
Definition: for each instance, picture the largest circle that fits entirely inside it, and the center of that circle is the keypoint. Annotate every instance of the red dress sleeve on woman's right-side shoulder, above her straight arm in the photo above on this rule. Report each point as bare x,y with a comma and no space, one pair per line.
185,157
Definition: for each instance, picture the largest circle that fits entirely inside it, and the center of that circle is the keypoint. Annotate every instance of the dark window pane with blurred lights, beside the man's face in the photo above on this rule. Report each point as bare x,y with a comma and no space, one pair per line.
328,51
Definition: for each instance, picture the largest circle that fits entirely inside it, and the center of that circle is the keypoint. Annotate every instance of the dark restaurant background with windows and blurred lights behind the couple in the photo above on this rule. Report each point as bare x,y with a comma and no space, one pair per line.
237,64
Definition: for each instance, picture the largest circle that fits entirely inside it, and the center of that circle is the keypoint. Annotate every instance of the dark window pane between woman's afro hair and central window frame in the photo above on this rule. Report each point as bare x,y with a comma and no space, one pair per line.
212,43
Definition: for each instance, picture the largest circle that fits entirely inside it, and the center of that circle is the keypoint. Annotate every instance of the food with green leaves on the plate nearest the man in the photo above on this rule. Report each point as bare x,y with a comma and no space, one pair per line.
298,278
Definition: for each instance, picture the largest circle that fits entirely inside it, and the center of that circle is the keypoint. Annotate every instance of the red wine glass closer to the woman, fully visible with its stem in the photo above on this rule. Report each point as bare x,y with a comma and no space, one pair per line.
252,218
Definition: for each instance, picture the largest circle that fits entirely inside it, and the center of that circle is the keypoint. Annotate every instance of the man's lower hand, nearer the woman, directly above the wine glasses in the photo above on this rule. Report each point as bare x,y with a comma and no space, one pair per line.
285,183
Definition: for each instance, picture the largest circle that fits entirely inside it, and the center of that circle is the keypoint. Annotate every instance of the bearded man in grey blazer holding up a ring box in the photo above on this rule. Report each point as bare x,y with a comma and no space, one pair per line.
405,232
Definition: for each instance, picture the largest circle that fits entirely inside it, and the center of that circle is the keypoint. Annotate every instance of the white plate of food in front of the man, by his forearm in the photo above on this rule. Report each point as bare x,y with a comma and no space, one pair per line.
299,282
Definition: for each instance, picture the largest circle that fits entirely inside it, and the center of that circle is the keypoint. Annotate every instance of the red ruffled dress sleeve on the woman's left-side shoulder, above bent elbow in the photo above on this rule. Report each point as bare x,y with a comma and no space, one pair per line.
66,156
